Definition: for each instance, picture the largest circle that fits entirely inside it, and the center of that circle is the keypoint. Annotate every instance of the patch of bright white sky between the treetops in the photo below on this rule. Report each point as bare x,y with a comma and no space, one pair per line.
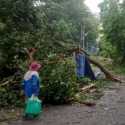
93,5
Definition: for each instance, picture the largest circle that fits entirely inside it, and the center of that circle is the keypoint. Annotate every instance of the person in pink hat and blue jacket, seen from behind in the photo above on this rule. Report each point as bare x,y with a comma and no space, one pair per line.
31,81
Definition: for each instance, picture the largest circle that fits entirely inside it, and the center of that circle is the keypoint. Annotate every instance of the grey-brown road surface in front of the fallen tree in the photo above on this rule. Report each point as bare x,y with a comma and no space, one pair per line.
110,110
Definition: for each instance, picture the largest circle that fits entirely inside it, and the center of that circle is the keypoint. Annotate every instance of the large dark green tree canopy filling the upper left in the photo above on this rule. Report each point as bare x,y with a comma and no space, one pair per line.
49,25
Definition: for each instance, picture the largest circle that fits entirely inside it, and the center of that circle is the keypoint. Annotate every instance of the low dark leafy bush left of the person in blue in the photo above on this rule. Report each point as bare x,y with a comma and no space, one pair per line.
11,94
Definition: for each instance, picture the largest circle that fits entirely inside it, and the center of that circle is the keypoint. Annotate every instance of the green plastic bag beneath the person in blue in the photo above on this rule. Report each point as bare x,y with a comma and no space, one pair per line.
33,107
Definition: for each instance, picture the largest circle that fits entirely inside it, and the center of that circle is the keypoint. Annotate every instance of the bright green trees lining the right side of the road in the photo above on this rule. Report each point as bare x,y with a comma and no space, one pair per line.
113,18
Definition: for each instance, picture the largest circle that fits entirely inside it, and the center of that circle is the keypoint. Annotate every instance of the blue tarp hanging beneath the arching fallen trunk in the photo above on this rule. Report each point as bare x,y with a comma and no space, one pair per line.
83,67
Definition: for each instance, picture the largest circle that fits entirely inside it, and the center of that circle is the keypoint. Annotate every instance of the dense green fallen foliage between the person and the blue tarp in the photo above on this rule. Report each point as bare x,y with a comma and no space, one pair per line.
58,81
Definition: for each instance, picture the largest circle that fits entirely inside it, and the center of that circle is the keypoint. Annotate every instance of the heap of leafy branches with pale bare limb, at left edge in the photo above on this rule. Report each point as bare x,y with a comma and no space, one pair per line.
11,91
